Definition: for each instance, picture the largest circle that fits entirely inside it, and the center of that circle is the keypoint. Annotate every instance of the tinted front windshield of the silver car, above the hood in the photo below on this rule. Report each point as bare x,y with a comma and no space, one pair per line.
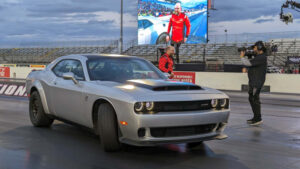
122,69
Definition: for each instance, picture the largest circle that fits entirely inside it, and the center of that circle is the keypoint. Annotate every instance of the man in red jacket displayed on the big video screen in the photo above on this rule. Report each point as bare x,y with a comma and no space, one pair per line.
177,21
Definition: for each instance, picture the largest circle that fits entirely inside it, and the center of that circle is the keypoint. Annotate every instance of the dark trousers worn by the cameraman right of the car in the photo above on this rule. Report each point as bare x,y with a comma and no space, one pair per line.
255,102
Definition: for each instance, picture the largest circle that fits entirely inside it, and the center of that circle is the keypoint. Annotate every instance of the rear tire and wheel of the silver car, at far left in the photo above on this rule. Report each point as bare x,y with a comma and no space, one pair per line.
37,115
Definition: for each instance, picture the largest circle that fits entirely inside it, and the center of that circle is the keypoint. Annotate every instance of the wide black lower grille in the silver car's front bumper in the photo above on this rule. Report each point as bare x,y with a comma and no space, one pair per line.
181,131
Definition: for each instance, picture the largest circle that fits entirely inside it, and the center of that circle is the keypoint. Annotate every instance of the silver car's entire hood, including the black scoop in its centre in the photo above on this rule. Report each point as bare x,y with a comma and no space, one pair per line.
161,89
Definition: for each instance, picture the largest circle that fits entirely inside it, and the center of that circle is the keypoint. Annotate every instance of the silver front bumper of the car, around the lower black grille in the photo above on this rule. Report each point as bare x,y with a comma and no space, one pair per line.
170,120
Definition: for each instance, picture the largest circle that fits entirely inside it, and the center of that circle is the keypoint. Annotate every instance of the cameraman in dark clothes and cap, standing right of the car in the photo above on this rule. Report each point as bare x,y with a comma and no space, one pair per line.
257,68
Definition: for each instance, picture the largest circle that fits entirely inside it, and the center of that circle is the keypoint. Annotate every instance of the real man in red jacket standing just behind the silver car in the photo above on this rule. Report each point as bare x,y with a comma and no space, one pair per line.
165,63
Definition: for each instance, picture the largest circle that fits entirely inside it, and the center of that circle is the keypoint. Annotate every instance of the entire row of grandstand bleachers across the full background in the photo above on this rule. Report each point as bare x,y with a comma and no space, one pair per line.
224,53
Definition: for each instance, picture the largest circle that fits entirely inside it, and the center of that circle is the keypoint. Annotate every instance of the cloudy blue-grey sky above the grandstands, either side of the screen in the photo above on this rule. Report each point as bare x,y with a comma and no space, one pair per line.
65,20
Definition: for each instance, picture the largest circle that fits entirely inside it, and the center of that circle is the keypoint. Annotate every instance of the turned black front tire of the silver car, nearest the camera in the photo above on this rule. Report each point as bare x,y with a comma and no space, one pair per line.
108,128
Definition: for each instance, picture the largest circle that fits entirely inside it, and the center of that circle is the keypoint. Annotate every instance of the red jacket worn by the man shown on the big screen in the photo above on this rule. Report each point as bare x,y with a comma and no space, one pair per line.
177,22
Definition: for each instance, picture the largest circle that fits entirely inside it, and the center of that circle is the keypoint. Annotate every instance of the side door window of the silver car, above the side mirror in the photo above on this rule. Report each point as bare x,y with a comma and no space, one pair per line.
73,66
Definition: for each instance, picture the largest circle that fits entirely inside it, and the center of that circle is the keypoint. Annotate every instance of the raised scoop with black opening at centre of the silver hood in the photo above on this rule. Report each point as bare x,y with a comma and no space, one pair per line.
163,85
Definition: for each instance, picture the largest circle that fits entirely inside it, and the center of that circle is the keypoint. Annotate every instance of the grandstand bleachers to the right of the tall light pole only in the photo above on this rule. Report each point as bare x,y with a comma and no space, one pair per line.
222,52
